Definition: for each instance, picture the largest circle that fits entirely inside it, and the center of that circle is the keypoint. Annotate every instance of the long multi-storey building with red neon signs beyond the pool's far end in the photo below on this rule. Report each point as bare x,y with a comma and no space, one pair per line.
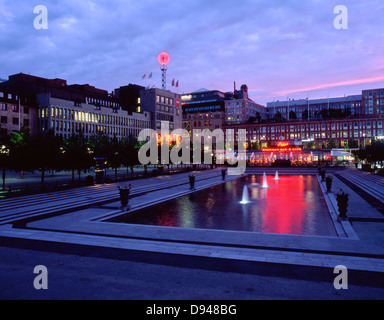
308,131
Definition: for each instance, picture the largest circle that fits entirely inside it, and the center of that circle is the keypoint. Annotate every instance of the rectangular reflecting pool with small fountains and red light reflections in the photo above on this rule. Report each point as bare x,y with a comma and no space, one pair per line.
290,205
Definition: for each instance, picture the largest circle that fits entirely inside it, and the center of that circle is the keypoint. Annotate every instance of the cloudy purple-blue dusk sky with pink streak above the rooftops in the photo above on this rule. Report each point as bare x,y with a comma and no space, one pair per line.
278,48
